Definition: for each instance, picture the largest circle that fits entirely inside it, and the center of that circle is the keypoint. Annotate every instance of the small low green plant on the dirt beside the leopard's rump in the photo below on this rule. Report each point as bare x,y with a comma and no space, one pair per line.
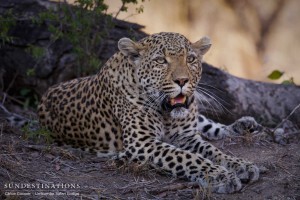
37,134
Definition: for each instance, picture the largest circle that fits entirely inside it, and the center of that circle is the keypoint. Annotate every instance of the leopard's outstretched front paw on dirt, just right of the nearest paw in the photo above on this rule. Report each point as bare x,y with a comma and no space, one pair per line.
247,172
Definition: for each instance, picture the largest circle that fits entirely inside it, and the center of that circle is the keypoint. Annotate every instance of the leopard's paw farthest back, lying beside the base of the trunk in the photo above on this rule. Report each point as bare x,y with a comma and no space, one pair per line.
244,124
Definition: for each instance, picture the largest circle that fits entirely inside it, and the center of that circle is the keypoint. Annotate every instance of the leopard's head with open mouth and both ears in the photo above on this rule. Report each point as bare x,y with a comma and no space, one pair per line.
168,68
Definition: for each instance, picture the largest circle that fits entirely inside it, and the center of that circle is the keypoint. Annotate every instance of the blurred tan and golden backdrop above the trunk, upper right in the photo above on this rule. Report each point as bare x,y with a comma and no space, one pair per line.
251,38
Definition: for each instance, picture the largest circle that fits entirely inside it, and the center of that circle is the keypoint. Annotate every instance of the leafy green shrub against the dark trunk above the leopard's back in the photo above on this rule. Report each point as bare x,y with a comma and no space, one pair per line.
79,24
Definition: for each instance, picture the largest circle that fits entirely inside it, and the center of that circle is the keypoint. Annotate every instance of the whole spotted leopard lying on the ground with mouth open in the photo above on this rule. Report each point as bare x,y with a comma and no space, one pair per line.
141,106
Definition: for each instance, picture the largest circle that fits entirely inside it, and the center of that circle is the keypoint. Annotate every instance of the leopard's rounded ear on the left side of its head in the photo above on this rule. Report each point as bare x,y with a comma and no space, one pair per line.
128,47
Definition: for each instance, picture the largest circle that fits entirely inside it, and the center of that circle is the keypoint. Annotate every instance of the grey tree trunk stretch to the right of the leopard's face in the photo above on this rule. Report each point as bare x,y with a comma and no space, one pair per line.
268,103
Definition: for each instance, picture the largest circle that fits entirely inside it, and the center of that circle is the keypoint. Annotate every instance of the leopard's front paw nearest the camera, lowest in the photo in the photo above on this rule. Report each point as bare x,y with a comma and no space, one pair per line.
224,181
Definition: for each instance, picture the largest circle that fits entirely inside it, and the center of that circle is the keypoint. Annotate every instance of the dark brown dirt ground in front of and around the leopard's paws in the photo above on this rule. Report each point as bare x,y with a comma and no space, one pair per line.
31,168
